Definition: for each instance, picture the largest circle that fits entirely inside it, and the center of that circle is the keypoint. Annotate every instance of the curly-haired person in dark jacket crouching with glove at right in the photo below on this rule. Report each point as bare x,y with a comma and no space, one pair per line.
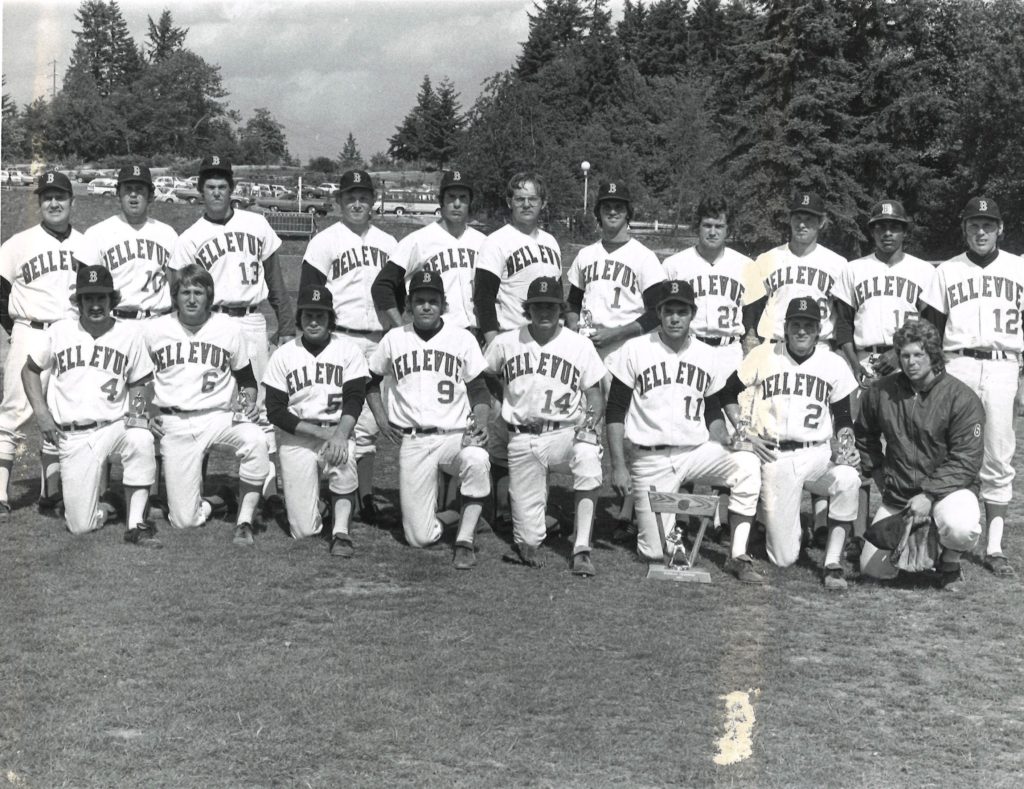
933,427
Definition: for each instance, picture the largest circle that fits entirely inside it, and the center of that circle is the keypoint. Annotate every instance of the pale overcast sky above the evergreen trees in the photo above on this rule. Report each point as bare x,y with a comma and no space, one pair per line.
323,69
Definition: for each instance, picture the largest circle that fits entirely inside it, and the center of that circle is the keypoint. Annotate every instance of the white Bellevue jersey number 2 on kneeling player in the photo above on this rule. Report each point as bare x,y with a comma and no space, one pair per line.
791,401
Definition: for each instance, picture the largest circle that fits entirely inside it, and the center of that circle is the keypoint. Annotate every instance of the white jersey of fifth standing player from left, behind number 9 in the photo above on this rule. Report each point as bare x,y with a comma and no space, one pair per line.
434,248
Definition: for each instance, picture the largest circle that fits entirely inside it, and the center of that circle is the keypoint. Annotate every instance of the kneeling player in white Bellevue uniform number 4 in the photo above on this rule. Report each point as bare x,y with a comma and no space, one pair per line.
97,365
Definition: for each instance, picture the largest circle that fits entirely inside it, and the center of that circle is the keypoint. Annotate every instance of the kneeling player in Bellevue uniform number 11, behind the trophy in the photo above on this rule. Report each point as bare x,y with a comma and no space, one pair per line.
663,400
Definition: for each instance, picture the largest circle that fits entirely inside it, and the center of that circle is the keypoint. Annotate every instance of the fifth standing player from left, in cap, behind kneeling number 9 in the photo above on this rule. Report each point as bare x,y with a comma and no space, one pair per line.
449,247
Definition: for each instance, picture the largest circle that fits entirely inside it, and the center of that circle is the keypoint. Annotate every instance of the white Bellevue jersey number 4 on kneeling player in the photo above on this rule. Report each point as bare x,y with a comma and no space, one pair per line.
90,377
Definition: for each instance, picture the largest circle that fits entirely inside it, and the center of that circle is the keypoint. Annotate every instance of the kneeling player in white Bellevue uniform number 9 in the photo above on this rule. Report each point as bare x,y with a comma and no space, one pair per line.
438,385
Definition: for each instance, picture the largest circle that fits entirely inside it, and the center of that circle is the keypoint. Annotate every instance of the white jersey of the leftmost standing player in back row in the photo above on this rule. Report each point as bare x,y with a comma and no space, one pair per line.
41,272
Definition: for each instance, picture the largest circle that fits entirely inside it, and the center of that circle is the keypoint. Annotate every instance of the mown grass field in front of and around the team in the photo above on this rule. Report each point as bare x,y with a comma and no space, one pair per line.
205,665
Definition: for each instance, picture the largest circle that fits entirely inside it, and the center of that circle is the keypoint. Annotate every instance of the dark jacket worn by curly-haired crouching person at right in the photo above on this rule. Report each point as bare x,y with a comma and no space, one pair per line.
934,440
